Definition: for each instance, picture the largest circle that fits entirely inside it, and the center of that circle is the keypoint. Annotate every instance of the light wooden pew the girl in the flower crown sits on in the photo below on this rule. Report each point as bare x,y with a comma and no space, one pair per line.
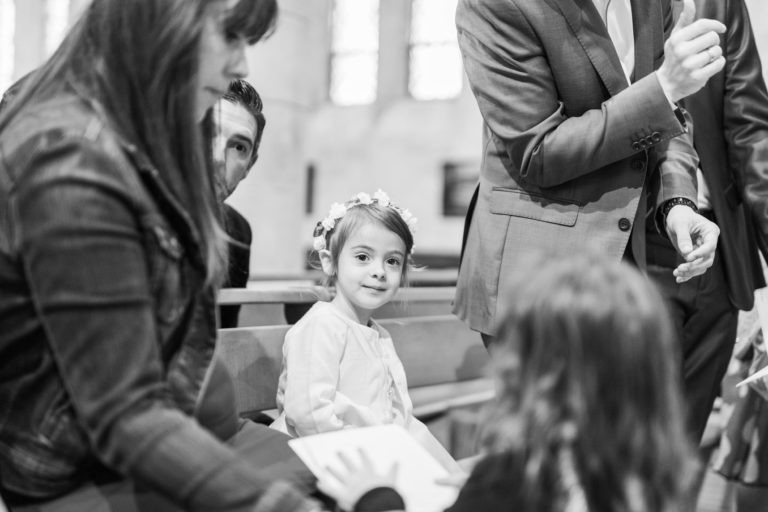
444,362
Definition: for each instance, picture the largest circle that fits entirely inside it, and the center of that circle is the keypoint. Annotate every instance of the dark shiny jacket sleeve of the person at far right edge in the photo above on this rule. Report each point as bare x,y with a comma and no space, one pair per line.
745,112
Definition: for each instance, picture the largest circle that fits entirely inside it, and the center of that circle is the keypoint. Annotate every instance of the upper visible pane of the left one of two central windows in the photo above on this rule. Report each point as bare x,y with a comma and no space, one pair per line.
355,25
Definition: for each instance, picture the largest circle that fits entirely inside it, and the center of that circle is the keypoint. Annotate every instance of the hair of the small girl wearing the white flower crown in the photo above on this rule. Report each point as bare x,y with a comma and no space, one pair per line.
357,216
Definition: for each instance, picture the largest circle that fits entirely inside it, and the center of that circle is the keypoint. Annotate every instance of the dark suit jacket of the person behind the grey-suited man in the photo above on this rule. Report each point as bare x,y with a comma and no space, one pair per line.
730,128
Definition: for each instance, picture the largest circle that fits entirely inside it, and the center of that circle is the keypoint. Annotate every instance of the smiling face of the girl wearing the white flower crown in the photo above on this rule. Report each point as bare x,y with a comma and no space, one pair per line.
369,270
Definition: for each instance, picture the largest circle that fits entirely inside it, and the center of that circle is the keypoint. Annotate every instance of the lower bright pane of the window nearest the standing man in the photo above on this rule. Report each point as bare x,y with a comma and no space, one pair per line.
436,72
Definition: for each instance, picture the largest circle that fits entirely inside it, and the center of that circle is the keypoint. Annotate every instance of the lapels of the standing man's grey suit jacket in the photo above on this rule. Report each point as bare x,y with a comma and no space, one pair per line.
590,31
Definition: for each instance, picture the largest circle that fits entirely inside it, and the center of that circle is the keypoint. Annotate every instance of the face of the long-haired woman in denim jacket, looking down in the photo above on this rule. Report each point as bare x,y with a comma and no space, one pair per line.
222,57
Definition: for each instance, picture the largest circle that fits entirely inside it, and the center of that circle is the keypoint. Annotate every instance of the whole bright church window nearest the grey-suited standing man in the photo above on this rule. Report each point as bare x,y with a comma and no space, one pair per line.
435,69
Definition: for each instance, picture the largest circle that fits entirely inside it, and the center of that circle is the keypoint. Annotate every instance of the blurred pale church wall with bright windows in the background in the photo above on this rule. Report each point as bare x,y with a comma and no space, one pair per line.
359,95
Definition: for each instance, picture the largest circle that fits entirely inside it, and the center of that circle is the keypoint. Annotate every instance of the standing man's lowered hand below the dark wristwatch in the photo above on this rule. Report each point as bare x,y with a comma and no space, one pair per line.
695,238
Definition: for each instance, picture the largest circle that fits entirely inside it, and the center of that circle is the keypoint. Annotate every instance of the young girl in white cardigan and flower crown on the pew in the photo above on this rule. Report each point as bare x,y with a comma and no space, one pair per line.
340,369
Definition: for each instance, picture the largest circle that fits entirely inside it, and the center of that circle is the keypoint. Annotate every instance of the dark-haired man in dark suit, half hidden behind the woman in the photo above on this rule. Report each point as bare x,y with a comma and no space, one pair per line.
238,124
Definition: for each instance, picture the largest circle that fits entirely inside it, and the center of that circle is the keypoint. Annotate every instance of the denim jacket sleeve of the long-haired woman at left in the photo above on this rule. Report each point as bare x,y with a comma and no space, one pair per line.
83,258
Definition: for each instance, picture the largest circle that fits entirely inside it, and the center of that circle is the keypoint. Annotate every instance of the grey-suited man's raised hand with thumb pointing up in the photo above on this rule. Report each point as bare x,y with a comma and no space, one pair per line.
692,54
